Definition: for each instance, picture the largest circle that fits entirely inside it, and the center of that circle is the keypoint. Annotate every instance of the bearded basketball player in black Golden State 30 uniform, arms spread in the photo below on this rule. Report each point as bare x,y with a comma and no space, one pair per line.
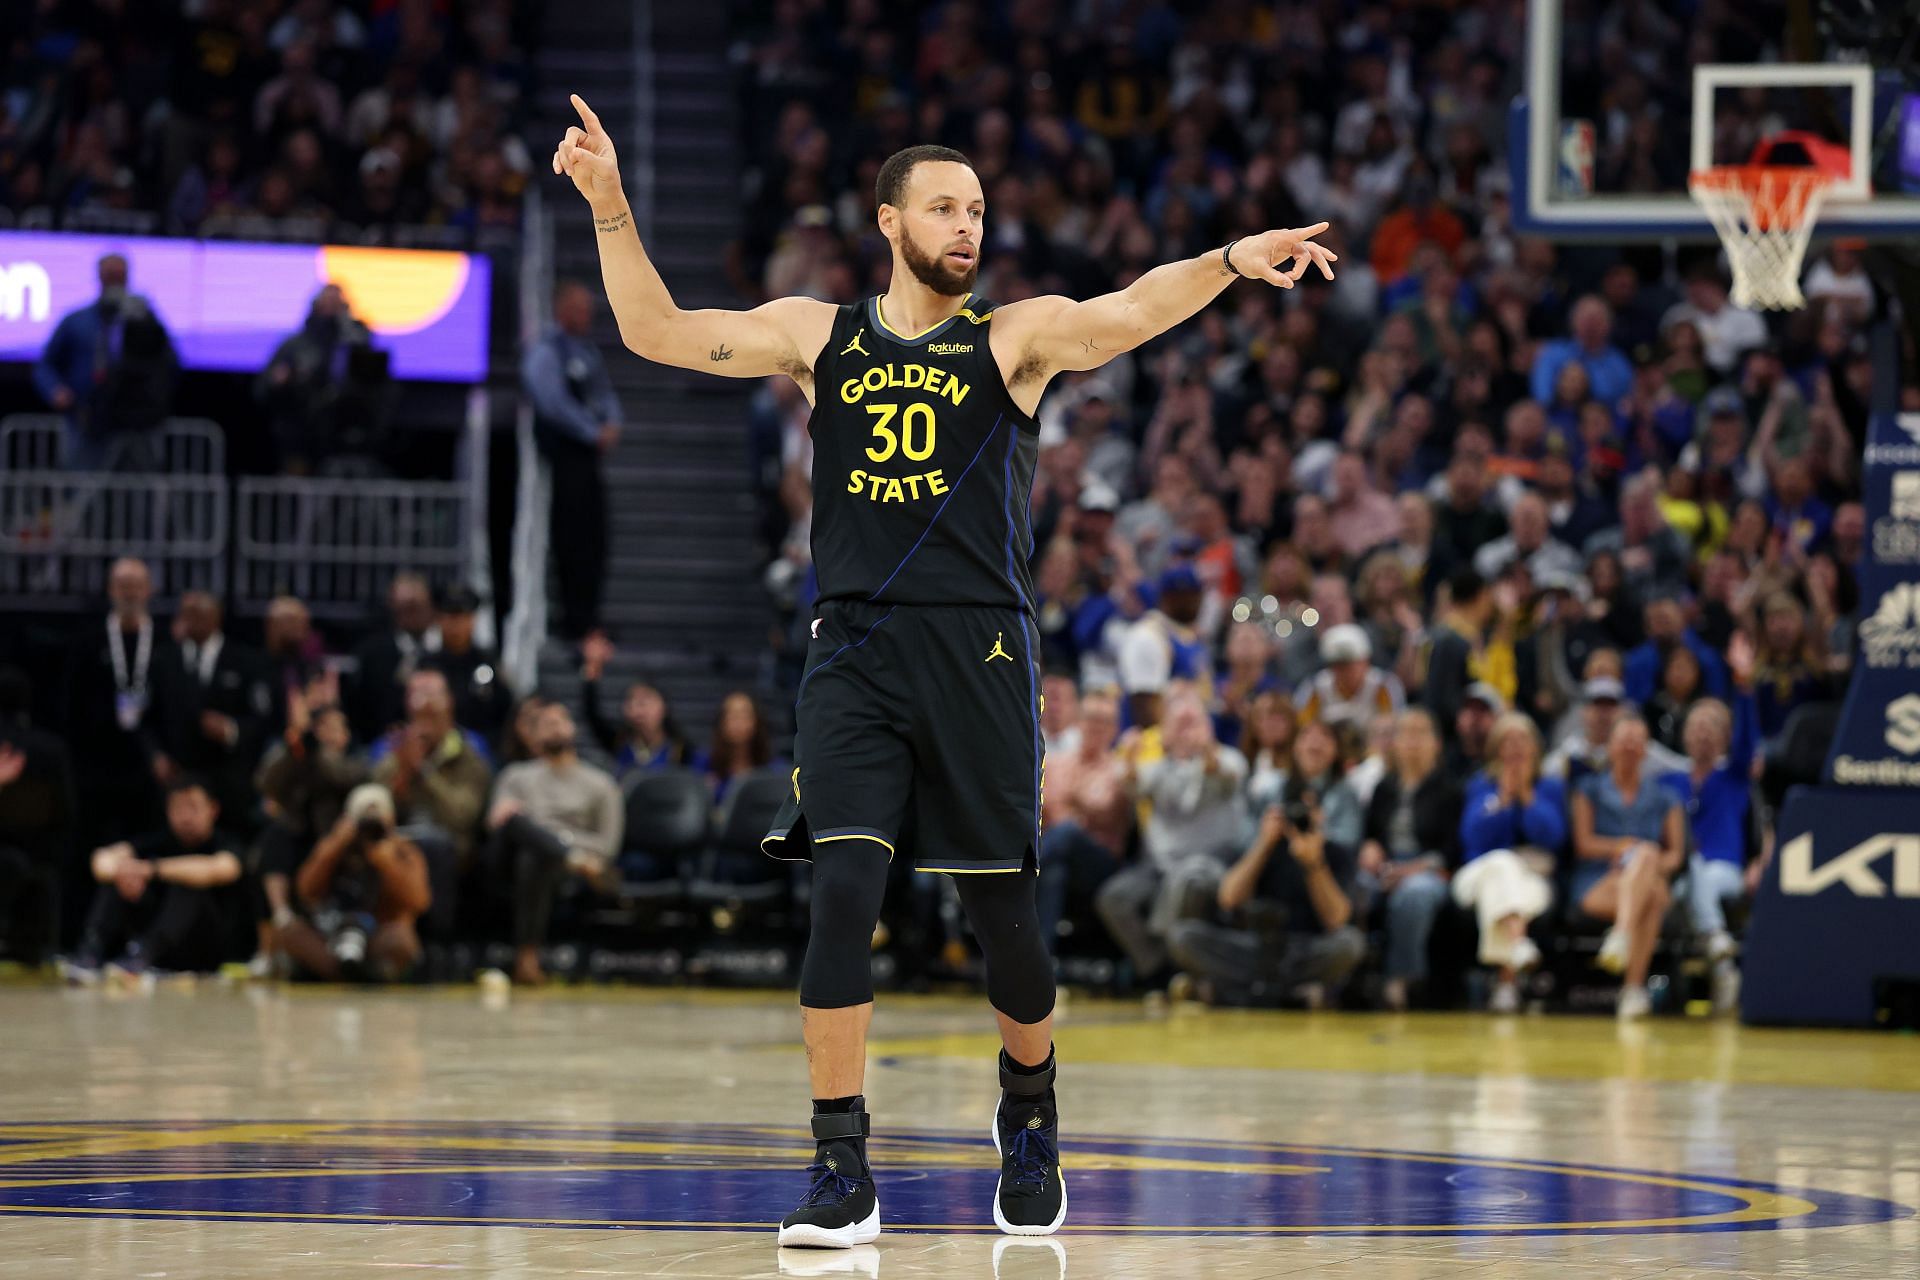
919,709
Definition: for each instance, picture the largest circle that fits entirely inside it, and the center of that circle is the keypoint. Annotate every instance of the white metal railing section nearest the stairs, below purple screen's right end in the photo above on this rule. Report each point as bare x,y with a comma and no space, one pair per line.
337,544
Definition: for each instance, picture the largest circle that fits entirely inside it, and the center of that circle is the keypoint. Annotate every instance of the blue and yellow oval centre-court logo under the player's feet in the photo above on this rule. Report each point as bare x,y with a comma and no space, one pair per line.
740,1177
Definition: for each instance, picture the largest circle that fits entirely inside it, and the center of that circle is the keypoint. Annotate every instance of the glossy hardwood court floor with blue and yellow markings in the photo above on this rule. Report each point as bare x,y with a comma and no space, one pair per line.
224,1133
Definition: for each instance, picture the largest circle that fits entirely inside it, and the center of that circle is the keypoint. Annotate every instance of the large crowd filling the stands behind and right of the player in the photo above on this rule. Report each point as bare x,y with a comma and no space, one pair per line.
1479,577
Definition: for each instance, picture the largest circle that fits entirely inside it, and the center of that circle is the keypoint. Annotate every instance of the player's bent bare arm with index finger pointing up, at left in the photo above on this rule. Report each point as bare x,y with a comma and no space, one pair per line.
777,339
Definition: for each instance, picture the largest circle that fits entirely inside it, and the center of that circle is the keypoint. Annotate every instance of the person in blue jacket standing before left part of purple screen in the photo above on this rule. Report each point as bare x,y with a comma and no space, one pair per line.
110,367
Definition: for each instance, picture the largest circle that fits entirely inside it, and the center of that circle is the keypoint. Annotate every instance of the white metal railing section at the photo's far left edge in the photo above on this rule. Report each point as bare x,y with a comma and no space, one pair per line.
60,534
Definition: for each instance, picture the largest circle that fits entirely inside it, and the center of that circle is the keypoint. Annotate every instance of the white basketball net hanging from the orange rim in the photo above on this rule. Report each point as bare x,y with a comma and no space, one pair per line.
1765,218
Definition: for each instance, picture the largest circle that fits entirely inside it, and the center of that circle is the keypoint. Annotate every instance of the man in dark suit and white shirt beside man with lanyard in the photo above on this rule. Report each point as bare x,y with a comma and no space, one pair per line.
212,711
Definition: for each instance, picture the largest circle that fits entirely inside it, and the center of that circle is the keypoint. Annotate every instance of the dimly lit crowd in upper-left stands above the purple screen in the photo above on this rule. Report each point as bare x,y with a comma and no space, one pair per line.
297,120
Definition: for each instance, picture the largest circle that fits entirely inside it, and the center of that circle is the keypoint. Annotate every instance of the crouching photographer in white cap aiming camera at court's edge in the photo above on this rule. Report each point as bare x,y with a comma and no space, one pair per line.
362,889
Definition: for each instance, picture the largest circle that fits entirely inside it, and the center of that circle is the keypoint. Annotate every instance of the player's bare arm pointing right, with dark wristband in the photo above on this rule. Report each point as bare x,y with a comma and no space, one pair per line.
1057,333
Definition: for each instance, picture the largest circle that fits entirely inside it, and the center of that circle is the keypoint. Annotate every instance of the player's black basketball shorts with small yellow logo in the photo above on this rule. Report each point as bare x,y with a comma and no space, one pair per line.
919,728
